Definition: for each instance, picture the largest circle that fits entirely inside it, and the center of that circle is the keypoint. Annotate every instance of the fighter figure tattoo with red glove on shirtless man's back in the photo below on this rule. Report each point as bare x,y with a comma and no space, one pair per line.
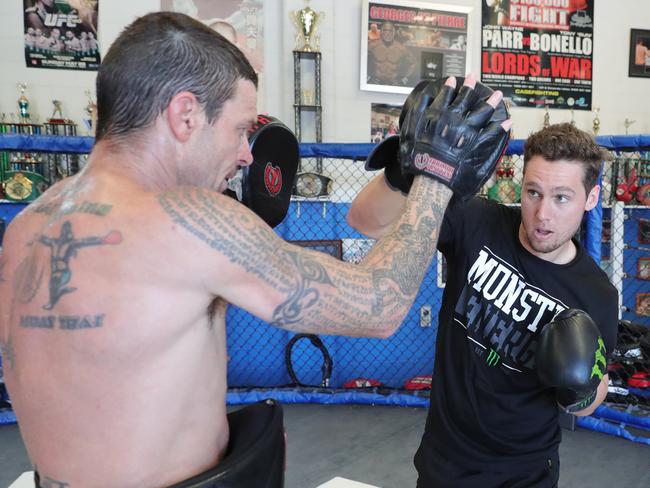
64,247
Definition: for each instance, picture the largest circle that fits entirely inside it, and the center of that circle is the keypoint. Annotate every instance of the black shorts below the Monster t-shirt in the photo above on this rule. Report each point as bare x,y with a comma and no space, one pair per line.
435,471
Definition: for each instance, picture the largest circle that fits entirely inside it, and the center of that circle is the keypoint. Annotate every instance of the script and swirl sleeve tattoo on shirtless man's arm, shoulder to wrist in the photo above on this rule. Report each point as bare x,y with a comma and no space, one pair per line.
322,294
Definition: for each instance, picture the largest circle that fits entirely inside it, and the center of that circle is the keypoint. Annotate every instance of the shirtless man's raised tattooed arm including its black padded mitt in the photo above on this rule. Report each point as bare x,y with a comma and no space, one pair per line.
302,290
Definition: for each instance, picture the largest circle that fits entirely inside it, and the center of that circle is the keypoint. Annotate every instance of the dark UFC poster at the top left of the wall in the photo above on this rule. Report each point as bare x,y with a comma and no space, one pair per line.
61,34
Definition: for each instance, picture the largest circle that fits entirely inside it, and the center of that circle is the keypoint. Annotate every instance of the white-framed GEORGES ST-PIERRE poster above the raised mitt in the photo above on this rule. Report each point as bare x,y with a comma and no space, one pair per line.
403,42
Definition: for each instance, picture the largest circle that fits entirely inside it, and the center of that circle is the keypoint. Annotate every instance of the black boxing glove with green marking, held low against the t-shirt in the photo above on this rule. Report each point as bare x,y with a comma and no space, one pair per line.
571,358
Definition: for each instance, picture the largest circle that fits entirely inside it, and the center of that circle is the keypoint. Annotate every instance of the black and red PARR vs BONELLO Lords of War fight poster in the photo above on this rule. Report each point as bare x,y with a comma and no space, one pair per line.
539,52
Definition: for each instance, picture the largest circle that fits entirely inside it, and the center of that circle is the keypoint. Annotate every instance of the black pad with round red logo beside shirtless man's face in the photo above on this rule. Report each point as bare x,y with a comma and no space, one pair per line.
266,185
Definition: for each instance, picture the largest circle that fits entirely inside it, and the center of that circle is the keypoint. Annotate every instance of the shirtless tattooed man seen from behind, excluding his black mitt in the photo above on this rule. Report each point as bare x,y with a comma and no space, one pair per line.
117,369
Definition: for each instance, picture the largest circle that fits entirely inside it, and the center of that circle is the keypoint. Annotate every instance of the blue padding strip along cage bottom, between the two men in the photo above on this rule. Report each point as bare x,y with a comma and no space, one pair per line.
285,395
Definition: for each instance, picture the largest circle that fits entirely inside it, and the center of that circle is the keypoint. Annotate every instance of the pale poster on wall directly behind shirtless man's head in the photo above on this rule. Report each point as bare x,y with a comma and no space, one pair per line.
239,21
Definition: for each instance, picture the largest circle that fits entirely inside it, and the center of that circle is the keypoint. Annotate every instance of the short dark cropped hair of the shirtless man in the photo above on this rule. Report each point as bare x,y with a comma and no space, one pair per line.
156,57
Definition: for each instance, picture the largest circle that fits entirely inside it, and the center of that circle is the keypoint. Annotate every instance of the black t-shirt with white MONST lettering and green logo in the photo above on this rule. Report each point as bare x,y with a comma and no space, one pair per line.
488,409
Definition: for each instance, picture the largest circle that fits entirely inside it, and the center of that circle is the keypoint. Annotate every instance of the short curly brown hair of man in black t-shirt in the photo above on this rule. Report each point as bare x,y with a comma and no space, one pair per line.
566,142
